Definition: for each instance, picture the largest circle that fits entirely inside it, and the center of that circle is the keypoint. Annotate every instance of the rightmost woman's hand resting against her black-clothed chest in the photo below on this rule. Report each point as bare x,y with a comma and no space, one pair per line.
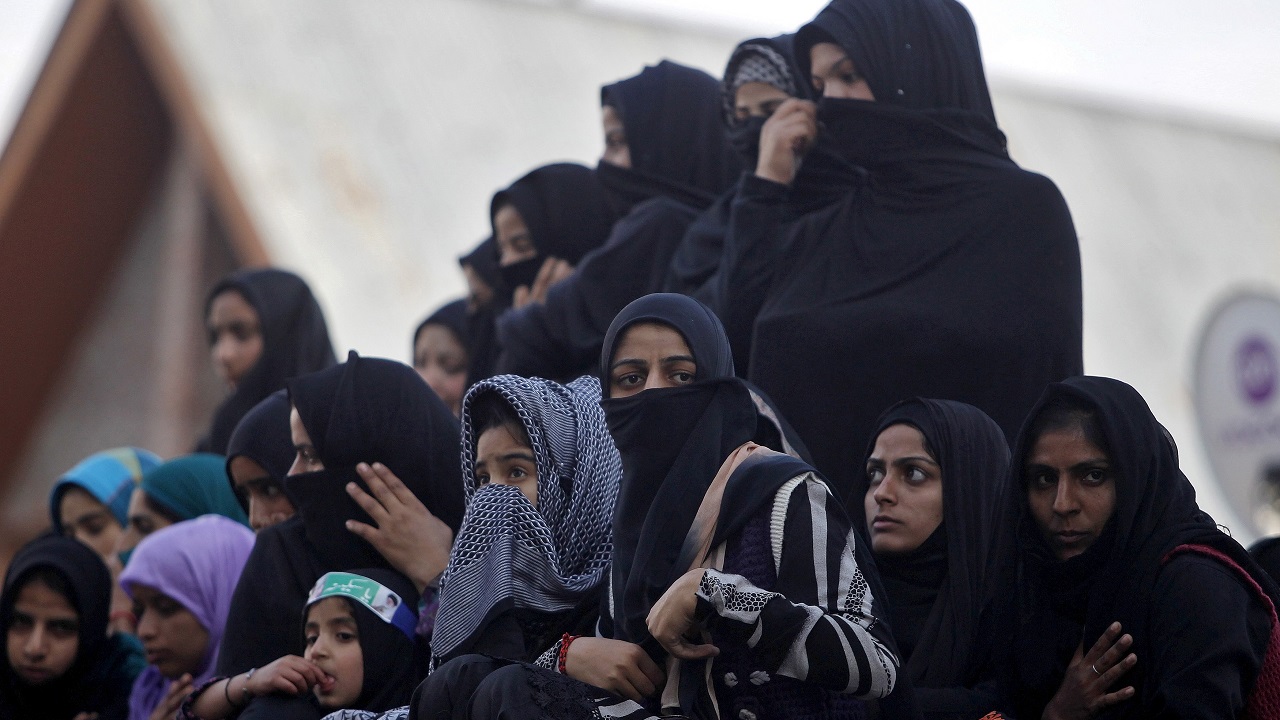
1084,694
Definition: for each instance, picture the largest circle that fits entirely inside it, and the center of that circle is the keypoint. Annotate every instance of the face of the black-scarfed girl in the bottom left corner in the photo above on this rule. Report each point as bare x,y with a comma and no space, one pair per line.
44,635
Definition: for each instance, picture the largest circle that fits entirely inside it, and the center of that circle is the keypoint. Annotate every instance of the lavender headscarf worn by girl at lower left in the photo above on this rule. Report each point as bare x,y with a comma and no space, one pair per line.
196,563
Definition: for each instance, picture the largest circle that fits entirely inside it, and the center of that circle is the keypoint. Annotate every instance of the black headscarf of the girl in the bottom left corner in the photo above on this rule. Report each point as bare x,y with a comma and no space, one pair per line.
99,681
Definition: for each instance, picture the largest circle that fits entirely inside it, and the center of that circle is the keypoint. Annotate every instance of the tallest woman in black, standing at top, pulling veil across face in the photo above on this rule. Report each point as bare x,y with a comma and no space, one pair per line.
948,272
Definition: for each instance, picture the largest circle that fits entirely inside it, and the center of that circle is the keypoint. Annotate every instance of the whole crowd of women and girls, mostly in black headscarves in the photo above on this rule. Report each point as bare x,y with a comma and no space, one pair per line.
775,413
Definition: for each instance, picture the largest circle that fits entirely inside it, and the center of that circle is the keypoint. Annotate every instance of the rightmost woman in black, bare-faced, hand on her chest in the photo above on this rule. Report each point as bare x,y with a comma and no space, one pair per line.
1126,599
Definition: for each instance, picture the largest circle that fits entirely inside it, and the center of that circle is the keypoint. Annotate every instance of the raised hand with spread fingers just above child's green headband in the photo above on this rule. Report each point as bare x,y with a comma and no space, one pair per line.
413,540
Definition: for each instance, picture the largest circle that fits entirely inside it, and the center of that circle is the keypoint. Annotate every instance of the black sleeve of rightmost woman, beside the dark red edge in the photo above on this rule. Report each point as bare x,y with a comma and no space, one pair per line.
1209,636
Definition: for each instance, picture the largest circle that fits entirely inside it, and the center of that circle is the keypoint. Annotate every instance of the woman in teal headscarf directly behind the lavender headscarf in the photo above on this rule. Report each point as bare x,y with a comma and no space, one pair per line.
184,489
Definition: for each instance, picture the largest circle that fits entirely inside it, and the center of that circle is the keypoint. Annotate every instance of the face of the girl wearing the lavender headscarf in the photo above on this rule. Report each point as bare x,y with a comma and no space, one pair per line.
173,639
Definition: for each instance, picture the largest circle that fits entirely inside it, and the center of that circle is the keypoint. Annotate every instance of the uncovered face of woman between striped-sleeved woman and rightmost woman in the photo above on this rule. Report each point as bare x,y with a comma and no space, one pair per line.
904,498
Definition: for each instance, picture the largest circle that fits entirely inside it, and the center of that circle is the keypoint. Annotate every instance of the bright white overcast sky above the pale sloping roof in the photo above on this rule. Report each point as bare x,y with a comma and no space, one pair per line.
1218,61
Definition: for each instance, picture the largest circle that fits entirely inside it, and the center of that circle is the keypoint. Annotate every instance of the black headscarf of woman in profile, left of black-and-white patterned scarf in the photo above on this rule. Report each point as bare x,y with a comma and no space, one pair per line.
673,119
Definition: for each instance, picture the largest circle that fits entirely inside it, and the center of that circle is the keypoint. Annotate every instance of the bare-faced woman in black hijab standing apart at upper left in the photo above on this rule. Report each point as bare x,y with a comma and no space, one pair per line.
264,329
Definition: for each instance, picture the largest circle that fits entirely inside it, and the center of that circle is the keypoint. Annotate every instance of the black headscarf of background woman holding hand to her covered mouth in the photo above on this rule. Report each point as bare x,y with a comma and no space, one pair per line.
568,213
